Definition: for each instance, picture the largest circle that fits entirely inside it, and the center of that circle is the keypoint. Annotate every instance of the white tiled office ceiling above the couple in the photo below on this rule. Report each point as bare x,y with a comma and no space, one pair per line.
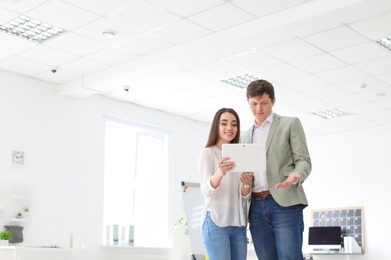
173,54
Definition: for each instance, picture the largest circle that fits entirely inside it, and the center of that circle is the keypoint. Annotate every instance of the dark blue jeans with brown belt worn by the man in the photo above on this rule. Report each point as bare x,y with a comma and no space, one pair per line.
277,231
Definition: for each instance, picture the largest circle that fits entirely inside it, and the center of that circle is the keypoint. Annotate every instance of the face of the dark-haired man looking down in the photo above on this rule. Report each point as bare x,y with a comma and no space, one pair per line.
261,107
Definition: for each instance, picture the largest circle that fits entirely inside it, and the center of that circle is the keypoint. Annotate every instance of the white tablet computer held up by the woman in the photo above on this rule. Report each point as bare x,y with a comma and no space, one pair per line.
247,157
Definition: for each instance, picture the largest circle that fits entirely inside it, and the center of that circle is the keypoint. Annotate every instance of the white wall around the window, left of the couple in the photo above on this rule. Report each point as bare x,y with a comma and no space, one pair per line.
63,141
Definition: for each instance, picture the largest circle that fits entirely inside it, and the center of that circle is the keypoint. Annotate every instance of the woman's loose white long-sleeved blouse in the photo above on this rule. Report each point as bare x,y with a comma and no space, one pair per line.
226,204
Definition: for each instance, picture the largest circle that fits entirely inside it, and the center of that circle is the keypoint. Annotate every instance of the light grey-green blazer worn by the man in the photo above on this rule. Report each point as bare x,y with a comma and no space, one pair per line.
286,152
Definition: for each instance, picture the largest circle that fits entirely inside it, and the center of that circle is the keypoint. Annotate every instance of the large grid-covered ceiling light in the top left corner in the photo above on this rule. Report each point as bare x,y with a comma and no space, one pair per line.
30,29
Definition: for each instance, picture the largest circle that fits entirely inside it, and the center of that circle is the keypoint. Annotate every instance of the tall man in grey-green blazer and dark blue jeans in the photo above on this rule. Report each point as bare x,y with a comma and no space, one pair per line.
278,200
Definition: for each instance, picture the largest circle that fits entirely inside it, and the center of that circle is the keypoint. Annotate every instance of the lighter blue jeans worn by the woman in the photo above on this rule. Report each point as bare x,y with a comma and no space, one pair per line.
224,243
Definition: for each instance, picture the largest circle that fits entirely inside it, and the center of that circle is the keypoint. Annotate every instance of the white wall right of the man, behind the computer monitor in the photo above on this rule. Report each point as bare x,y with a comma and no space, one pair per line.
351,170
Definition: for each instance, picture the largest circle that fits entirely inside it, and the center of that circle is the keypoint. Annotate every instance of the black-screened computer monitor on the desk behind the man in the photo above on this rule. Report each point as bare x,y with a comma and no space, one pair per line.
324,238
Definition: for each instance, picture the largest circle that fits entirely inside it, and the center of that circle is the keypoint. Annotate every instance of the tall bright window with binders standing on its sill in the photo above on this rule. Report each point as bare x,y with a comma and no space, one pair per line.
136,185
